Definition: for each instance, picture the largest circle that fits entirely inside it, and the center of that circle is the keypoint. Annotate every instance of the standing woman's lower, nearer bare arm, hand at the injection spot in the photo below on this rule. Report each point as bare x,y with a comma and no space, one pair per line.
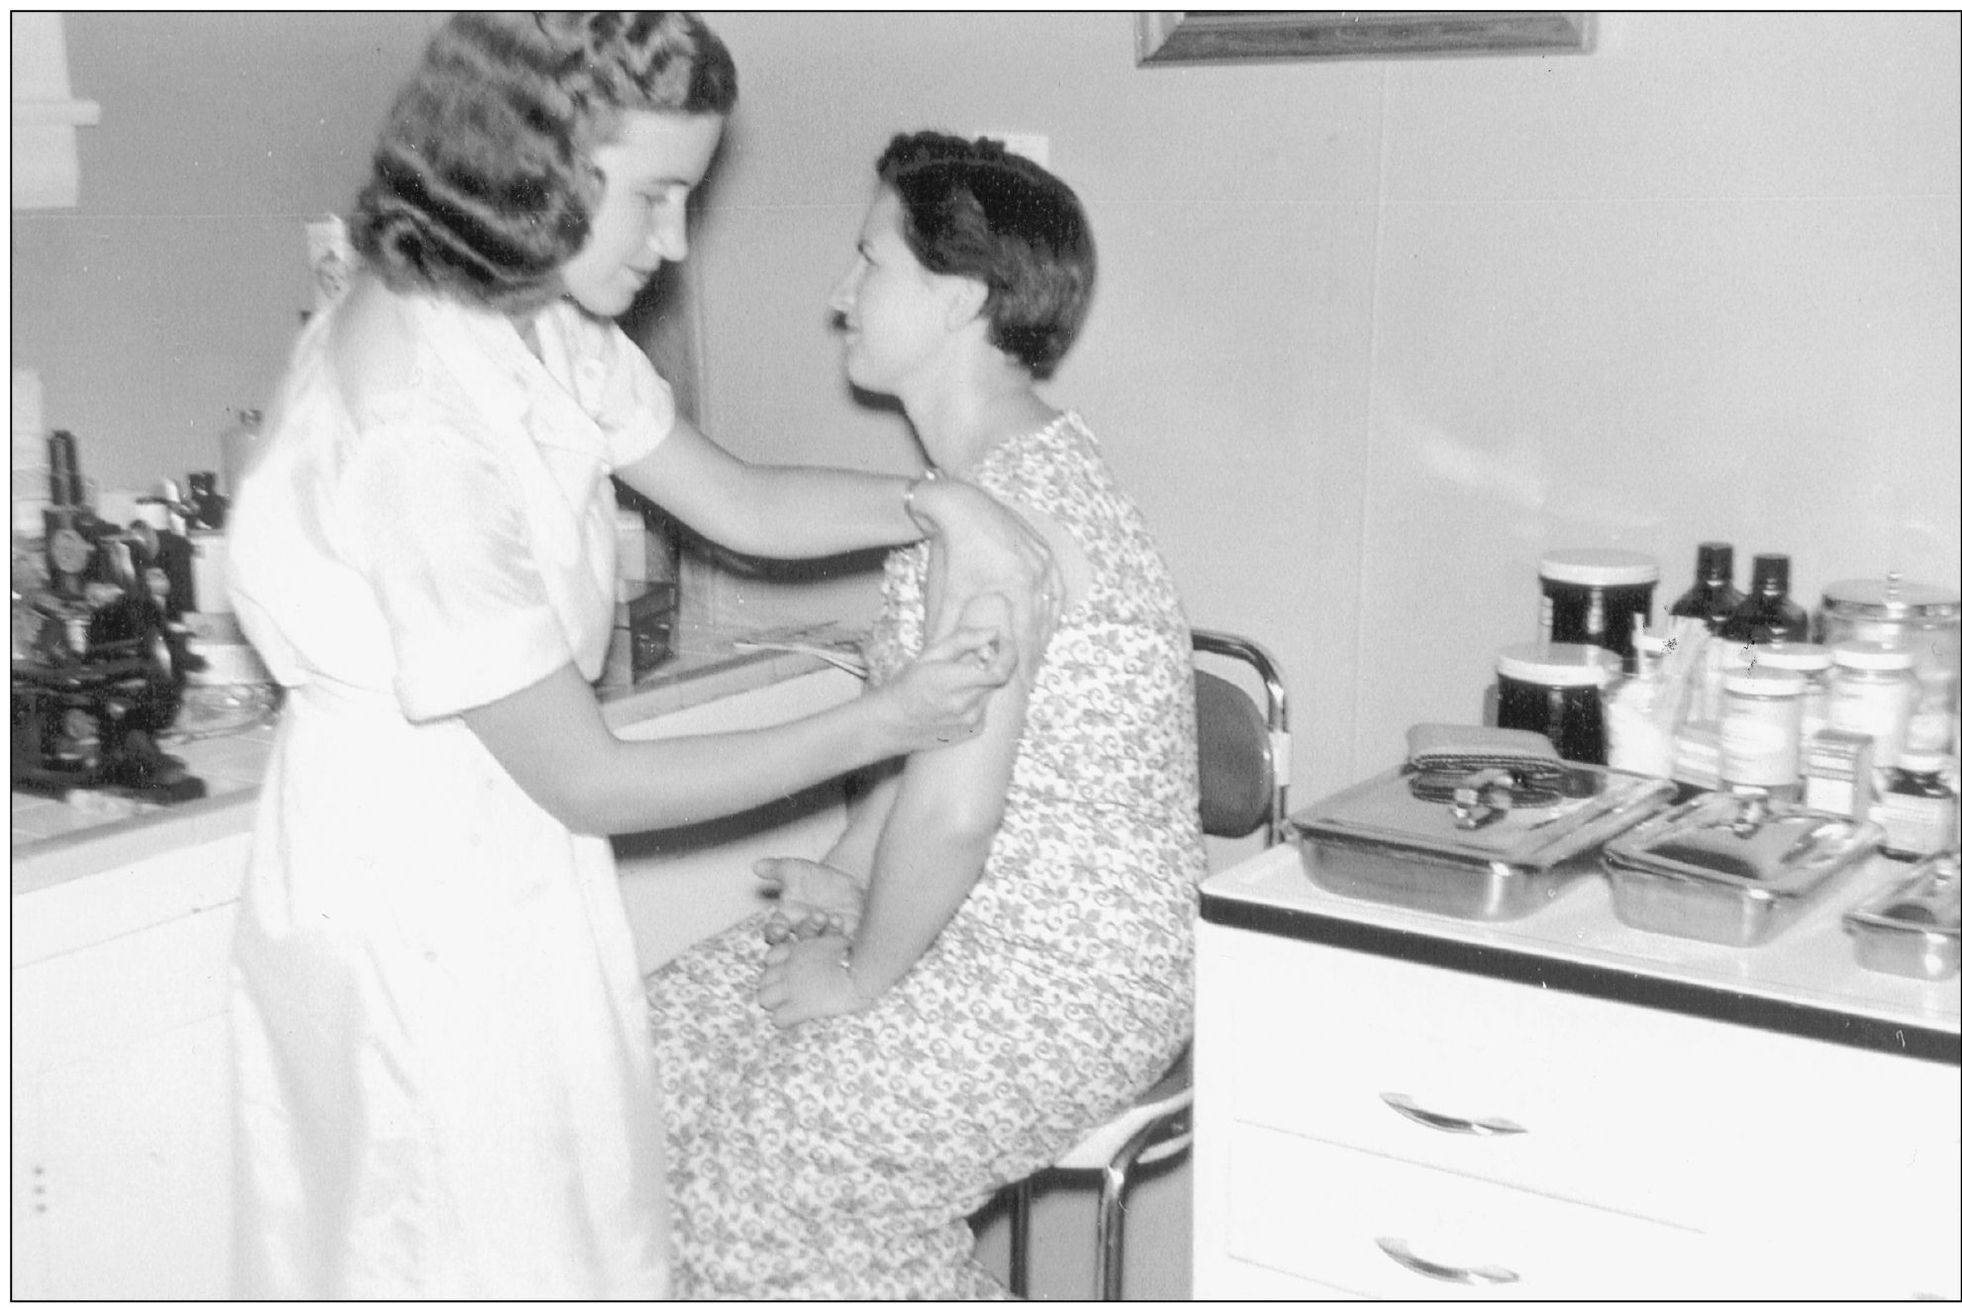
556,746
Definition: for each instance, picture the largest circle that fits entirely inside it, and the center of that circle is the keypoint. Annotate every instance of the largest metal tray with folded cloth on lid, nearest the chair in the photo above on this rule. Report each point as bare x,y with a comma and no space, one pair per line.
1486,846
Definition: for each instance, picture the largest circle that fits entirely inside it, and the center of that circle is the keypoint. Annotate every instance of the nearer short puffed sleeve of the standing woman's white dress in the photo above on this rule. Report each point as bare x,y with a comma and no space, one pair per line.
446,550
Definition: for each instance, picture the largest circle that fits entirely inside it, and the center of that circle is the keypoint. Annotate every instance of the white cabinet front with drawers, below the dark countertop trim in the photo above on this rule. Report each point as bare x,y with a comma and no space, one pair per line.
1390,1129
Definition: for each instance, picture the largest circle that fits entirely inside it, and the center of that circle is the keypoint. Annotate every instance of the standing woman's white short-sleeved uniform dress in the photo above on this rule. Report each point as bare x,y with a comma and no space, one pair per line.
444,1074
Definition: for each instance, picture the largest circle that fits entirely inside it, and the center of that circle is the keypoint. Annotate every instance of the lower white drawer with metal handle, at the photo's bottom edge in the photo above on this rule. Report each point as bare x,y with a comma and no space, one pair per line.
1396,1231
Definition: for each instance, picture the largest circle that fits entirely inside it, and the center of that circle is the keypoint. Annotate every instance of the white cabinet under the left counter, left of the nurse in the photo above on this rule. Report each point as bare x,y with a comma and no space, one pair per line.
123,1142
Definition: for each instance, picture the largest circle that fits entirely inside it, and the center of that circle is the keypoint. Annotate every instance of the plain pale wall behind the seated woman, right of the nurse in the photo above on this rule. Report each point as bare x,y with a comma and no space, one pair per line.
1372,336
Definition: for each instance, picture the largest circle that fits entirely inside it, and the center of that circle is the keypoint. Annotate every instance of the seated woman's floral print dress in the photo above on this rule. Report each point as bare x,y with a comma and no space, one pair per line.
843,1158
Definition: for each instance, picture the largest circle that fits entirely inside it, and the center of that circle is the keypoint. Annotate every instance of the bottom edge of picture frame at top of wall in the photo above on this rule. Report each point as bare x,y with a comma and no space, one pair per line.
1245,36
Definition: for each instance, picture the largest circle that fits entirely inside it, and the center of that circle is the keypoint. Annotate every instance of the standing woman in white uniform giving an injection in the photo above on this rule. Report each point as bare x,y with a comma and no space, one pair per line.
444,1072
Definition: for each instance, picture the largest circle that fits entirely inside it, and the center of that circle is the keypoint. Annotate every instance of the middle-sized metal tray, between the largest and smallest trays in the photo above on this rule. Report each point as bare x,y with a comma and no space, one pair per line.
1728,870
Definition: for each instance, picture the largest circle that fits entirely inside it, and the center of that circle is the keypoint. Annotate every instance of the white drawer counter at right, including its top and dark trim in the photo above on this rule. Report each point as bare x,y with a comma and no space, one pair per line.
1414,1107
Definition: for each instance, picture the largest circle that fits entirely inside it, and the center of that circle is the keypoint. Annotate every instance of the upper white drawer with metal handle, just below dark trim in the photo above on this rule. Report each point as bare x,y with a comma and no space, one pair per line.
1575,1097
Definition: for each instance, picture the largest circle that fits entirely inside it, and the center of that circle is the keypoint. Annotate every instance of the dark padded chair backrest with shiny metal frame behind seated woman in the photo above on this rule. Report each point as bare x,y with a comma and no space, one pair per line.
1243,746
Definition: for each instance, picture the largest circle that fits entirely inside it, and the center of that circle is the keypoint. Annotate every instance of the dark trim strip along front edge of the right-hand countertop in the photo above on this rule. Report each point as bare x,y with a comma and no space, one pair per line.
1588,980
